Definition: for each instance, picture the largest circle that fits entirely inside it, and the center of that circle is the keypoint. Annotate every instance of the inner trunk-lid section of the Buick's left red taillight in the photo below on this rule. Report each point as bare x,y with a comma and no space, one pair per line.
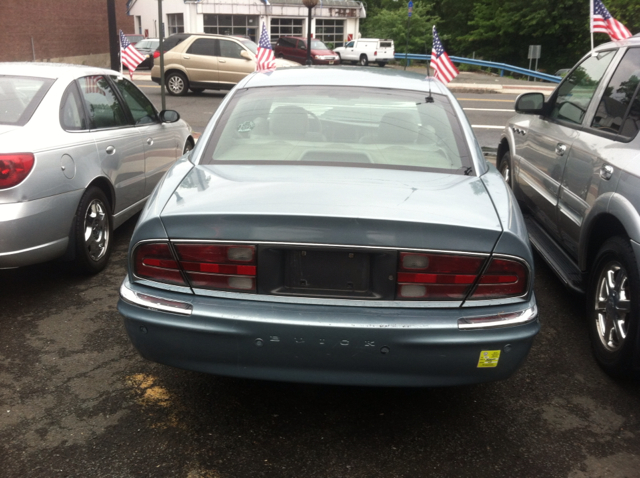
228,267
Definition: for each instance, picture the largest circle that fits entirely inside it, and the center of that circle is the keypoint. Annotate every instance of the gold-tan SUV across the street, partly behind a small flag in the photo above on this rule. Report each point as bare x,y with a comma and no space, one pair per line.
205,61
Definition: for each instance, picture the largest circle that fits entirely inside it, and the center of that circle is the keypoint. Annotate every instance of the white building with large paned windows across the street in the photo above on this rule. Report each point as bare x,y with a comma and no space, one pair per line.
333,21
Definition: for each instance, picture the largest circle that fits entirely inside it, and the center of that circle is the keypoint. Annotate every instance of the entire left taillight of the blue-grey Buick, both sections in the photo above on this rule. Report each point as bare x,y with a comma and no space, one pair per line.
205,266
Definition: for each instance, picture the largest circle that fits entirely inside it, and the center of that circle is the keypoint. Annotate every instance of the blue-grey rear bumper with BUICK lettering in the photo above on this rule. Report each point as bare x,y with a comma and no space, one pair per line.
324,344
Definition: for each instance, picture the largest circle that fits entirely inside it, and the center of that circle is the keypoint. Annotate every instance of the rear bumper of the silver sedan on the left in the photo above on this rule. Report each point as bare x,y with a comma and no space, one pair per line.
36,231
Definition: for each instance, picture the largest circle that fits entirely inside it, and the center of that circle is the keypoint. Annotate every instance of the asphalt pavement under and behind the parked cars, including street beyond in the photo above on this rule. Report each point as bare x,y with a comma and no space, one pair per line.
77,401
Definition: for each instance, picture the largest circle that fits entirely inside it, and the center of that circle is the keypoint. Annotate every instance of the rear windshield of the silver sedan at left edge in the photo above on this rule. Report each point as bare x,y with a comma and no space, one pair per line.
20,96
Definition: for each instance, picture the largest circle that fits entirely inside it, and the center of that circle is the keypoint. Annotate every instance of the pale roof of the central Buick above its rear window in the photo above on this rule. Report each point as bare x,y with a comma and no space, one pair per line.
345,76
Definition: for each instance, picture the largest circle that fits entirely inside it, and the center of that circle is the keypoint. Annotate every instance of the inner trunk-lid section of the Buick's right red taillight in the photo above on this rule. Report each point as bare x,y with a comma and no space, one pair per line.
436,276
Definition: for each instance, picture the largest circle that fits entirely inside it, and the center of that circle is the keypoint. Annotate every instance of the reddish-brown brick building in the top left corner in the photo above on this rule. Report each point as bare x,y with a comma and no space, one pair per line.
71,31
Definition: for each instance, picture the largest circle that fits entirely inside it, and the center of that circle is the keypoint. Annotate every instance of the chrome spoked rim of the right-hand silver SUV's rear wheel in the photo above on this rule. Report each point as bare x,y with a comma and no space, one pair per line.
612,306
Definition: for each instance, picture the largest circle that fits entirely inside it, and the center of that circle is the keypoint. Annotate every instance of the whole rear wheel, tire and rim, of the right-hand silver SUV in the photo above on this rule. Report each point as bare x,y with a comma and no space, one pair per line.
614,290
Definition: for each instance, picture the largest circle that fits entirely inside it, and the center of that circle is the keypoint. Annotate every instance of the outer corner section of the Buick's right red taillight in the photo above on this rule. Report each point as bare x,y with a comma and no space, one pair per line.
503,278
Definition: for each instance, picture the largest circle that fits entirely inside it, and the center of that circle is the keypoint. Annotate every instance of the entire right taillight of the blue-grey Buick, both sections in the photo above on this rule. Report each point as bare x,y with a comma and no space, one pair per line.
454,277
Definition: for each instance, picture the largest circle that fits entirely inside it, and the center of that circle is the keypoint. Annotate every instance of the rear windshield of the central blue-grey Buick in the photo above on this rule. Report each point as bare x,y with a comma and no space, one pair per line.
366,127
